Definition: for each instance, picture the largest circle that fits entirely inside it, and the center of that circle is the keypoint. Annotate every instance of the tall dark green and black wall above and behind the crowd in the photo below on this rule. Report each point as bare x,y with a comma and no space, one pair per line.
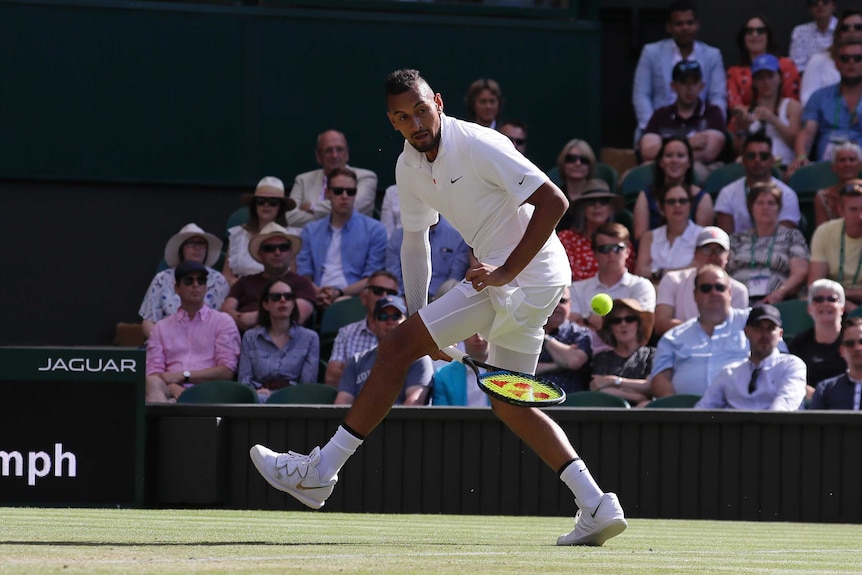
129,100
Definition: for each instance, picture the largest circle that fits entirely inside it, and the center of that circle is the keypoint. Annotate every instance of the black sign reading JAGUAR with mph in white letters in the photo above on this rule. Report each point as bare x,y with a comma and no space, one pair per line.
71,426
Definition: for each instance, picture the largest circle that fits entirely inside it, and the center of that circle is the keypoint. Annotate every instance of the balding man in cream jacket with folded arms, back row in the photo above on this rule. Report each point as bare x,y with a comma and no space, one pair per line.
309,188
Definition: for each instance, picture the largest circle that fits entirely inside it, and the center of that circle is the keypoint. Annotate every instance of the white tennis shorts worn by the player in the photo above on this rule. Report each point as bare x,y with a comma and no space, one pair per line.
509,317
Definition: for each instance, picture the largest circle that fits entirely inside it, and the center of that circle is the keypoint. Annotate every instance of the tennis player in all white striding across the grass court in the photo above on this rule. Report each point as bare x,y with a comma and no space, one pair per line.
506,209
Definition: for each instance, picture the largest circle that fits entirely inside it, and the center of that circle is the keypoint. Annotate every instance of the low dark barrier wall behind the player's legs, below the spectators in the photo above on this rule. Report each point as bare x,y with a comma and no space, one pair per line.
666,464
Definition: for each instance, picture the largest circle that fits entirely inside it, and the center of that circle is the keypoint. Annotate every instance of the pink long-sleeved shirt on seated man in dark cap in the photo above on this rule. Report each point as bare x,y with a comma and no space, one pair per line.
178,343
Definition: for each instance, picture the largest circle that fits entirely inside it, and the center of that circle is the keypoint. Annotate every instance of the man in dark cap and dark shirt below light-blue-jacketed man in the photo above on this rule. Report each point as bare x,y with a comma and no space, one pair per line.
689,117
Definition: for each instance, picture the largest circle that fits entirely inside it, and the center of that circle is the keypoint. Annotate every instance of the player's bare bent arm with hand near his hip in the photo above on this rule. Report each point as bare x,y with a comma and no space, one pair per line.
550,204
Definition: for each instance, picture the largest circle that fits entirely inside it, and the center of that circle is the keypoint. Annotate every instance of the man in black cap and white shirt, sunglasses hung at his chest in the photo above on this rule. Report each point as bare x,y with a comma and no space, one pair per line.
768,380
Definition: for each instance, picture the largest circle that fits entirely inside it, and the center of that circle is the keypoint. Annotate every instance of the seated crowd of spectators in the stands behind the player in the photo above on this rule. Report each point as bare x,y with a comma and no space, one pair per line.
704,281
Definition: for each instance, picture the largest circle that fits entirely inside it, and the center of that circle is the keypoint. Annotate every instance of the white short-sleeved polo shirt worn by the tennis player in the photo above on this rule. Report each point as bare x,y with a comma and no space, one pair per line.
479,183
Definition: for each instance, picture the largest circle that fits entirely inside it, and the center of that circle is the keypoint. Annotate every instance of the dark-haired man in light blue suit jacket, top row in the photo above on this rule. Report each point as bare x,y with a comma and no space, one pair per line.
653,74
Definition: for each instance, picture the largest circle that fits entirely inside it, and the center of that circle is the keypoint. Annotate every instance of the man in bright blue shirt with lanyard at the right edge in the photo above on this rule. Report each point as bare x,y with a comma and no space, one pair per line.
832,114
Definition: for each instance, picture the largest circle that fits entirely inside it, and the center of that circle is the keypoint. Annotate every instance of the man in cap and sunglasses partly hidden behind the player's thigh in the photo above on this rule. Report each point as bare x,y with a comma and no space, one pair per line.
389,312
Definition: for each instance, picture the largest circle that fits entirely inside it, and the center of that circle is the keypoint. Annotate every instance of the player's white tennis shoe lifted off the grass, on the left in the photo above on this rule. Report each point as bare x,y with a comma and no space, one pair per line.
293,473
